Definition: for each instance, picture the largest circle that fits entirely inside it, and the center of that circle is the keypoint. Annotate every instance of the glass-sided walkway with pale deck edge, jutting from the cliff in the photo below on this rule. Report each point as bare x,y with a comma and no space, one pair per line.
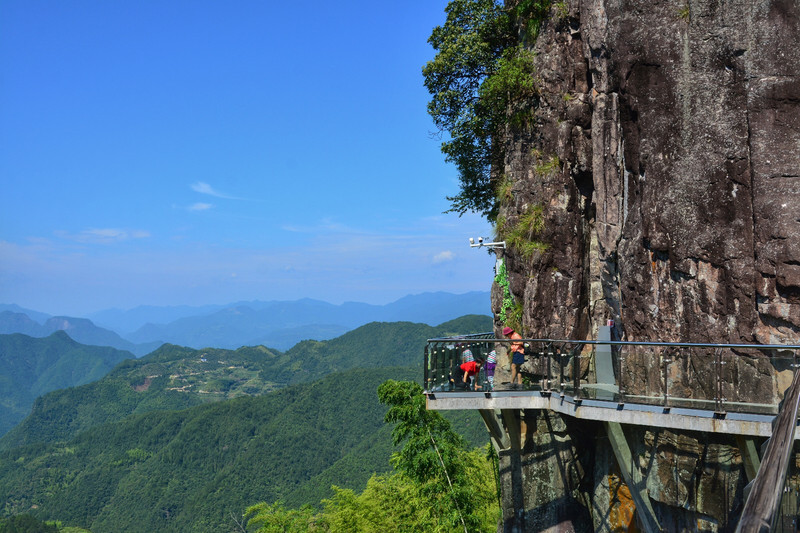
736,389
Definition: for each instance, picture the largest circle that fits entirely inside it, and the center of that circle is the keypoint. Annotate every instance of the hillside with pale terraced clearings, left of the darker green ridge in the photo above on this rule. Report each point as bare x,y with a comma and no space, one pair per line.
170,378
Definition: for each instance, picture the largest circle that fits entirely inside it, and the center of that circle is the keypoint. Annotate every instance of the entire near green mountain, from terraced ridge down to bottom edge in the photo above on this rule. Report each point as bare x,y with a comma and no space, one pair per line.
185,439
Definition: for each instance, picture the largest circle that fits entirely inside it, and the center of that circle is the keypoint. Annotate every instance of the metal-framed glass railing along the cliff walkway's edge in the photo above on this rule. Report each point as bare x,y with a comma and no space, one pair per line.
717,377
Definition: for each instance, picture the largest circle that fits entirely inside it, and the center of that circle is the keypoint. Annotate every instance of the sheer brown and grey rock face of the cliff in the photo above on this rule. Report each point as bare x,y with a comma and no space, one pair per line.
665,156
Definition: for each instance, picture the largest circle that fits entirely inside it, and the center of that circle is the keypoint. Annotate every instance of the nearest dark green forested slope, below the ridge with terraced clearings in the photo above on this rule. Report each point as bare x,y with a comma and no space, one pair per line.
196,469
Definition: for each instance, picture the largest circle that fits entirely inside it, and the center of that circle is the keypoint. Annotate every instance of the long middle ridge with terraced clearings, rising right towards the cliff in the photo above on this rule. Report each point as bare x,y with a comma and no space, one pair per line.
175,377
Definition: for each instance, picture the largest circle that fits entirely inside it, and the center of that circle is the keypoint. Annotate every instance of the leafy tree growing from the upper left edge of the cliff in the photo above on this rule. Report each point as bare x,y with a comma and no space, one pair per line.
481,80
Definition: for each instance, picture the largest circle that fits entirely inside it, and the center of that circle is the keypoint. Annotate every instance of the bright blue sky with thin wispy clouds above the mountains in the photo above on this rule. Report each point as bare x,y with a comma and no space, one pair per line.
188,153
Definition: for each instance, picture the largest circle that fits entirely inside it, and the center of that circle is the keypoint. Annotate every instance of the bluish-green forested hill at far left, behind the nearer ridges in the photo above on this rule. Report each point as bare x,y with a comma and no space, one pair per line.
30,367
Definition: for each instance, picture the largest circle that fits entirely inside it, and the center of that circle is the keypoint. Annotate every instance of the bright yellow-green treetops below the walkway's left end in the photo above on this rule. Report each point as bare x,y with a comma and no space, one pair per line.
438,484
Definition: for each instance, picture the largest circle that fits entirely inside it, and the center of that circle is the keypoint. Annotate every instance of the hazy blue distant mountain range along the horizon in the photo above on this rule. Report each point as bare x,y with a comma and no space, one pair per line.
277,324
